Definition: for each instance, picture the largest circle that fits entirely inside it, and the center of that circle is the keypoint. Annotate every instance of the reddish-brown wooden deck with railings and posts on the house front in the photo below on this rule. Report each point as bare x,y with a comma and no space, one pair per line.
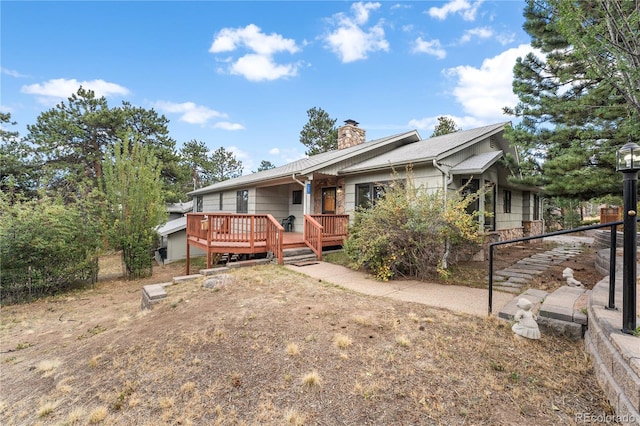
222,233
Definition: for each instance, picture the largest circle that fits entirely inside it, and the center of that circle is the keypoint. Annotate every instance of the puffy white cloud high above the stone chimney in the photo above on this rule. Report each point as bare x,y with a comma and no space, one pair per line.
350,41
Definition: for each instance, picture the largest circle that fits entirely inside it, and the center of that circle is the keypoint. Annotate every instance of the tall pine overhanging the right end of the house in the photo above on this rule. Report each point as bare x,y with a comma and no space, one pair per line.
572,122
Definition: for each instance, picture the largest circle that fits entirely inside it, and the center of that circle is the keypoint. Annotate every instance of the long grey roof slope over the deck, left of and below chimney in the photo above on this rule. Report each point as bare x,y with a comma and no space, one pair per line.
311,164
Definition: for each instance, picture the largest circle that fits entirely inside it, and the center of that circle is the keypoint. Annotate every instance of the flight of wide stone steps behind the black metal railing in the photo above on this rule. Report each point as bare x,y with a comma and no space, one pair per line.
516,276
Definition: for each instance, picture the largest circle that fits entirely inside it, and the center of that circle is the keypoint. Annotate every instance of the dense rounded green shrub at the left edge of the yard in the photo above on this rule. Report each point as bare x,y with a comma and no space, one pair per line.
46,247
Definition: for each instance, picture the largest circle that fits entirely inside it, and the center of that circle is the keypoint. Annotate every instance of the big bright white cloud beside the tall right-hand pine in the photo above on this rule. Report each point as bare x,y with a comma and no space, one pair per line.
484,91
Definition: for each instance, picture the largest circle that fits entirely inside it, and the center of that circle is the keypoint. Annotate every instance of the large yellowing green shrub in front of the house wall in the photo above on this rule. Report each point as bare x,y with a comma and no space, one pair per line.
410,232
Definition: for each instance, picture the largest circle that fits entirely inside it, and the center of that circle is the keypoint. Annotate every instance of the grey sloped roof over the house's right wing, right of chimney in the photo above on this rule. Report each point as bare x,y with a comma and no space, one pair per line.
428,150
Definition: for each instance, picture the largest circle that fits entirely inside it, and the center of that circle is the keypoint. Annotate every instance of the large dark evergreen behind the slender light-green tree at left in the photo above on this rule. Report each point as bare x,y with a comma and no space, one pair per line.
74,137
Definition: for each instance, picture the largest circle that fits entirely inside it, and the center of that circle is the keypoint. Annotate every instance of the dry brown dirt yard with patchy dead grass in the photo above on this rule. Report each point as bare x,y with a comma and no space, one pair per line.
270,346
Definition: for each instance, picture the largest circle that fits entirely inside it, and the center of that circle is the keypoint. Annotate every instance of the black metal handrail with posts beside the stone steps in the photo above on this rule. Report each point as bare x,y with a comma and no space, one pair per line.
612,255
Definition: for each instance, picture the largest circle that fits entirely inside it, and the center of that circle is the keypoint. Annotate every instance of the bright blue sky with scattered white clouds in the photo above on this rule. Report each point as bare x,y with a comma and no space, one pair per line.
242,74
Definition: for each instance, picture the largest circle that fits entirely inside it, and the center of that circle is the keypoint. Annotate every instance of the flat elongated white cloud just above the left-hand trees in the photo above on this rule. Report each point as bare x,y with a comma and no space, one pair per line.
62,88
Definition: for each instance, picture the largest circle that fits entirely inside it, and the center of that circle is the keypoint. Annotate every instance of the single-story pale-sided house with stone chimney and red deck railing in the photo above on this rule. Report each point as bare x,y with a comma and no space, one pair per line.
333,184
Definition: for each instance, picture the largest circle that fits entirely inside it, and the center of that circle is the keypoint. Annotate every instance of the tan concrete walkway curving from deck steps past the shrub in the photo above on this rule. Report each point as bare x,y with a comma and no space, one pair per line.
474,301
